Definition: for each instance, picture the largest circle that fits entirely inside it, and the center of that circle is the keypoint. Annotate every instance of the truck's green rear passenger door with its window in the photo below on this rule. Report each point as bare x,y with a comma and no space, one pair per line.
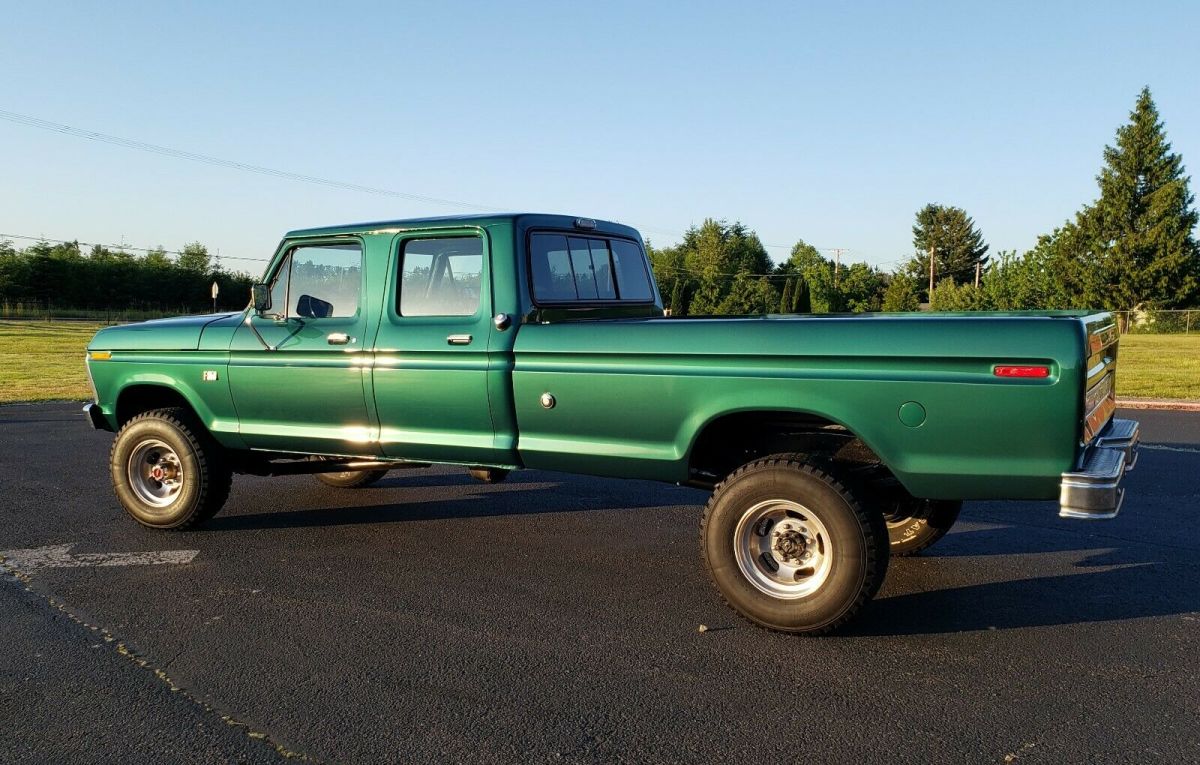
433,368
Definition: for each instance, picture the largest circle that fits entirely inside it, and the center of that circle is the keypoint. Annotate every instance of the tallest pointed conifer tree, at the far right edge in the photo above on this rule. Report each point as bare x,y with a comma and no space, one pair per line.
1141,246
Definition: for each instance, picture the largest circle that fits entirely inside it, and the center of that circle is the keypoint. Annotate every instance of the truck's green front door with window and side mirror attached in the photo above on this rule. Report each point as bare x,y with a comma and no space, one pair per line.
297,374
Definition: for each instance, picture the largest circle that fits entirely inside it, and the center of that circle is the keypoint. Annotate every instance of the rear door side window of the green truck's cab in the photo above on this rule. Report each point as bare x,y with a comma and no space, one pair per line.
441,278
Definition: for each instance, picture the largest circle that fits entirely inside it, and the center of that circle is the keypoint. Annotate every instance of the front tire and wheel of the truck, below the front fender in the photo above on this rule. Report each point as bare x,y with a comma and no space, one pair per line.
167,471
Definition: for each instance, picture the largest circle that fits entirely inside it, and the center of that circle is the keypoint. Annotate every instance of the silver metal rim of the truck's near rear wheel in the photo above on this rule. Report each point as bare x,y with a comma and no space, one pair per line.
783,550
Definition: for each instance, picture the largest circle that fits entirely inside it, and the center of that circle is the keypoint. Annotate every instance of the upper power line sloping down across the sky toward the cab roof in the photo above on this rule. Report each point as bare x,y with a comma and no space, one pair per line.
181,154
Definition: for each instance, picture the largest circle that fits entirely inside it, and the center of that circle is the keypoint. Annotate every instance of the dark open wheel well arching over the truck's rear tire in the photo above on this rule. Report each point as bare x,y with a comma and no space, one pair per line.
733,441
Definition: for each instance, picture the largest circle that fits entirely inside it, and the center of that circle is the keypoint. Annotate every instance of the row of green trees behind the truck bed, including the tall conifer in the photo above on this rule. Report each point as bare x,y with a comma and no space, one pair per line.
1135,248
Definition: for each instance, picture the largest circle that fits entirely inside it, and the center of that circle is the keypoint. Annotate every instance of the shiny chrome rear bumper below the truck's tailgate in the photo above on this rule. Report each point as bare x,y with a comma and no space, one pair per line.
1094,492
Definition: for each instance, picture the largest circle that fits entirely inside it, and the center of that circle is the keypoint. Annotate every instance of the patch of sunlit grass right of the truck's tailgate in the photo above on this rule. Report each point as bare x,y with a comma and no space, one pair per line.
1160,366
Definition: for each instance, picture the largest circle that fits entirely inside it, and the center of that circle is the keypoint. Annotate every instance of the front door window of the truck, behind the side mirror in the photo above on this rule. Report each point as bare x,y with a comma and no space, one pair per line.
320,282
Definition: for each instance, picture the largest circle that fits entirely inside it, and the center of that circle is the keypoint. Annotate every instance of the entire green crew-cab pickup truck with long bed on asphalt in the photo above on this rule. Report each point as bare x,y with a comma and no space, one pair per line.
501,342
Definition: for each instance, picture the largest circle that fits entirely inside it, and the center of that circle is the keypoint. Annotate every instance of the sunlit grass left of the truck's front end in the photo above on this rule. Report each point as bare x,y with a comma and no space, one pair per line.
44,360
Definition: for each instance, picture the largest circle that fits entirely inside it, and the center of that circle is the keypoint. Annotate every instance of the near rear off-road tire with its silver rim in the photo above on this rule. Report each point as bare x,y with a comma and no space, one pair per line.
790,549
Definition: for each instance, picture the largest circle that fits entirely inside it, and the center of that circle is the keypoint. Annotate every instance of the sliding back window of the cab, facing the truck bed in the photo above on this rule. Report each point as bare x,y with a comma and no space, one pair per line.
569,269
